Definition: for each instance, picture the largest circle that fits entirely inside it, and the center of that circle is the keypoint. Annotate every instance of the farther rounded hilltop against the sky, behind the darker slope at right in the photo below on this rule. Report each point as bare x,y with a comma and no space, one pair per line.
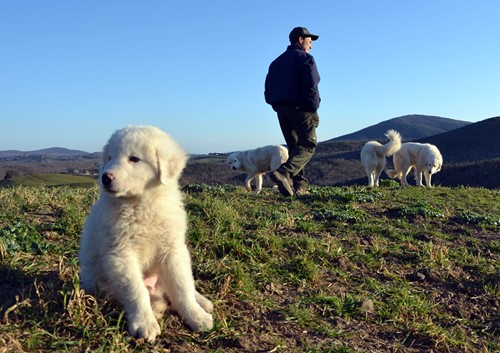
411,127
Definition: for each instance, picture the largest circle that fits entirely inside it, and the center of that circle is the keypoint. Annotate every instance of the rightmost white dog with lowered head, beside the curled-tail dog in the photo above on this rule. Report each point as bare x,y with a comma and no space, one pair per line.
424,157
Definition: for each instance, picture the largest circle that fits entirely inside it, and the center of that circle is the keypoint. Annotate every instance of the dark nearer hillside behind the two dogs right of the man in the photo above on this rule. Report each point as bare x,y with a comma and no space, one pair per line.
471,157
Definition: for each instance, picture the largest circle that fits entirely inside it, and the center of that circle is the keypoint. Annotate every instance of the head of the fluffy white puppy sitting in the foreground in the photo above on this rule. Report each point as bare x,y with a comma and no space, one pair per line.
137,158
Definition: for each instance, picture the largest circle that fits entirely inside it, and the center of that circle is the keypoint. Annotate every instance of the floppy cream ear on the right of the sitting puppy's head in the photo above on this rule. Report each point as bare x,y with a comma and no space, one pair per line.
170,160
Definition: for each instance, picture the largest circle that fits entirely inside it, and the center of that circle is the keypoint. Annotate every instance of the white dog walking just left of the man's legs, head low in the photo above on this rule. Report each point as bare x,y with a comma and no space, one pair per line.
257,162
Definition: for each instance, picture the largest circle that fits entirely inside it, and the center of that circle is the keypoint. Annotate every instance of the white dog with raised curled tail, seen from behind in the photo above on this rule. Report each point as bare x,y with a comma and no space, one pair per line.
373,156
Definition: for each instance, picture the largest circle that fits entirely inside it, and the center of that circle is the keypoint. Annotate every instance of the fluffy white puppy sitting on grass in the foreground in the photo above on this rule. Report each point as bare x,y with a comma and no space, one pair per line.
133,243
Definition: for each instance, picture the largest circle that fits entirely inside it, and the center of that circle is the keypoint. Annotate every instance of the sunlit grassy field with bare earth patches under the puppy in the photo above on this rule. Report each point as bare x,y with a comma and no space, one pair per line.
341,270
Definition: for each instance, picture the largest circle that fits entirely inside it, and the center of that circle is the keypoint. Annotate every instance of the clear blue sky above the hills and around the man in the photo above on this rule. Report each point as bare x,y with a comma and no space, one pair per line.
72,72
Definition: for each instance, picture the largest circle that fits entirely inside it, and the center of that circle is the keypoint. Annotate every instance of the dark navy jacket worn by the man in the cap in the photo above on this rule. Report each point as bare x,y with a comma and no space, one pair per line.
293,79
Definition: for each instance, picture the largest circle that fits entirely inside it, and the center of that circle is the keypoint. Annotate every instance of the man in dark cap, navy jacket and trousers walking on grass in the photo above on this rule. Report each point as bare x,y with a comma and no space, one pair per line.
291,88
